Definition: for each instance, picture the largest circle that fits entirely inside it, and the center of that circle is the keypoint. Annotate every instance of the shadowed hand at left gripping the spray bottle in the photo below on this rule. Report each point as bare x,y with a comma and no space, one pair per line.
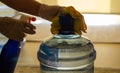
15,29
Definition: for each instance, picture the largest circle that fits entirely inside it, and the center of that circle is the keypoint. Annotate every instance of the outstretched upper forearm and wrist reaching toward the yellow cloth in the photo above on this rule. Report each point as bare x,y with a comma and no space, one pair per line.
33,7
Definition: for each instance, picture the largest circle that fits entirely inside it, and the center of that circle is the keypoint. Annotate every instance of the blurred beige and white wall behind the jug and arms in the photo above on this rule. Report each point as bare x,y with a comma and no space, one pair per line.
103,21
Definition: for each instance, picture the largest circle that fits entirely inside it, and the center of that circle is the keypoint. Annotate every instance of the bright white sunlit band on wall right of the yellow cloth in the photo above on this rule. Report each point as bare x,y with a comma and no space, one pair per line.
102,19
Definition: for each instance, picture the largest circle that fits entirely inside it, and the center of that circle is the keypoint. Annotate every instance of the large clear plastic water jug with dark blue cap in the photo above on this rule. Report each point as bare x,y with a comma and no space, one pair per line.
66,52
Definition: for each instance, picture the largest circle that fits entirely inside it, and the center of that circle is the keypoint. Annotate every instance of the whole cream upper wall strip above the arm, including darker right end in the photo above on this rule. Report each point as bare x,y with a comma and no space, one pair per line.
92,6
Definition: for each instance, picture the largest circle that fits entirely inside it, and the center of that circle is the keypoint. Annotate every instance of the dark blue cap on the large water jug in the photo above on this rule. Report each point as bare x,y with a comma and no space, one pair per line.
66,24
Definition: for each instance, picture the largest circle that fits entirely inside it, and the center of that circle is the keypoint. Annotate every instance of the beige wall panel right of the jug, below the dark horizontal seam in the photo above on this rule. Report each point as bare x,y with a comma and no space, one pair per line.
107,55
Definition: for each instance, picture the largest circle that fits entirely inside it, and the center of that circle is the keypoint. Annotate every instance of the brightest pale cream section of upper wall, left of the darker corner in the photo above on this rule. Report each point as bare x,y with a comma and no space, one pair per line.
88,5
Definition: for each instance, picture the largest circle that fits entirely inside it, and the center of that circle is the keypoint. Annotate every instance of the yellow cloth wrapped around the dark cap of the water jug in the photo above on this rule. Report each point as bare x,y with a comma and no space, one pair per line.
79,23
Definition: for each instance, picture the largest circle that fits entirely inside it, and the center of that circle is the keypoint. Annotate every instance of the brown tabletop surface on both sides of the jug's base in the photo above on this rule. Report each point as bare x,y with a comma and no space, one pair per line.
35,69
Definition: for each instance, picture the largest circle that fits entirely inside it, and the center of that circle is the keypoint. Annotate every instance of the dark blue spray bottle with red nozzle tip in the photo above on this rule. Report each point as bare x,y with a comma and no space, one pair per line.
10,54
